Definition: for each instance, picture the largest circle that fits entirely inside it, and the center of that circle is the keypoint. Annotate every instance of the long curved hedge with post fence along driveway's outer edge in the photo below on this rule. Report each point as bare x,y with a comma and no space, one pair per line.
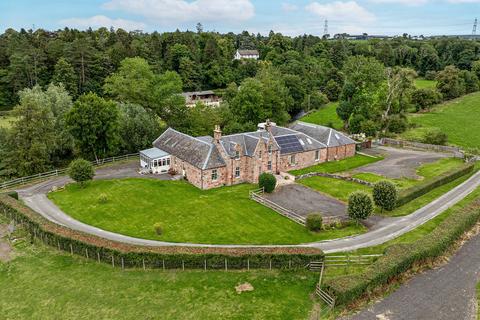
168,257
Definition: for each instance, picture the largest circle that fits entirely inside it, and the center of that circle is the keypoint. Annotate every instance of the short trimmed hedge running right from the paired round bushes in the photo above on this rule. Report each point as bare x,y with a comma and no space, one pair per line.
420,189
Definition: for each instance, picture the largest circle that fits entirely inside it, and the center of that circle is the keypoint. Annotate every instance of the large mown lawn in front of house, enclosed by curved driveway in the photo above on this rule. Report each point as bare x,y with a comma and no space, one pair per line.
221,216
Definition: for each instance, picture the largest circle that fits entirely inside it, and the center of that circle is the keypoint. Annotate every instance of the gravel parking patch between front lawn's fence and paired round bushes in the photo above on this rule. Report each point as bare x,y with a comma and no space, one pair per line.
303,200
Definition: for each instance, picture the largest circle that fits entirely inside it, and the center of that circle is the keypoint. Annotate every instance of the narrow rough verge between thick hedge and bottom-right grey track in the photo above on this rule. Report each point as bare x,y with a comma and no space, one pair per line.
419,267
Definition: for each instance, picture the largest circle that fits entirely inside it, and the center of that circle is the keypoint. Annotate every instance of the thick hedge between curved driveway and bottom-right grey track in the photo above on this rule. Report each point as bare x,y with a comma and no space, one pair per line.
399,258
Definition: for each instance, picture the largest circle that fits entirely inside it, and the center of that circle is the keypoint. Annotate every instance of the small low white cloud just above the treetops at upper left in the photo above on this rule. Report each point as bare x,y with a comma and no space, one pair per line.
103,21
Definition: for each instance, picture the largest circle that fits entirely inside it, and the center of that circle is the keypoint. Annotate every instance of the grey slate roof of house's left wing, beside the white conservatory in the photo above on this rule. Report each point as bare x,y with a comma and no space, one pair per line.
196,151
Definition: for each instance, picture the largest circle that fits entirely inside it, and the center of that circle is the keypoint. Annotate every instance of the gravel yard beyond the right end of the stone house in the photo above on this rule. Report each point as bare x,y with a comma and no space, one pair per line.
400,163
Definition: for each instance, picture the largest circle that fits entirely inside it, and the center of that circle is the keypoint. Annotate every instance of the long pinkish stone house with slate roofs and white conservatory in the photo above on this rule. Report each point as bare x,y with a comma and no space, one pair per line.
209,162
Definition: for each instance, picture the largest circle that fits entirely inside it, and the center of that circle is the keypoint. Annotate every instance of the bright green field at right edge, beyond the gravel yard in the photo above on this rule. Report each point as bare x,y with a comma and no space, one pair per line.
457,118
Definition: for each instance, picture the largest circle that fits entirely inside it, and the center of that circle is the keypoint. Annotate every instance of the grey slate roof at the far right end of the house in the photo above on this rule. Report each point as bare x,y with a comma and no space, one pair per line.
328,136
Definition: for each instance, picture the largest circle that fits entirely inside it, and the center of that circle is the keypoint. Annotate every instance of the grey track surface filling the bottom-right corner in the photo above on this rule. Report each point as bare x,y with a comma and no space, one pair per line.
442,294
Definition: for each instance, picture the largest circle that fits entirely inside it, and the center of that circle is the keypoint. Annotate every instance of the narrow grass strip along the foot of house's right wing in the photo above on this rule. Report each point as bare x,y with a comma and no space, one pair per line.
337,166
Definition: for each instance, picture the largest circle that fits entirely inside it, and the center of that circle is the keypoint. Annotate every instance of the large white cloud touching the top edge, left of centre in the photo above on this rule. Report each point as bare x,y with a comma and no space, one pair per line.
164,11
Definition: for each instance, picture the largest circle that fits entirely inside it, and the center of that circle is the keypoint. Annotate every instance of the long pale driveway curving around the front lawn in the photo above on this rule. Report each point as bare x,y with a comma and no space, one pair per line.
35,197
